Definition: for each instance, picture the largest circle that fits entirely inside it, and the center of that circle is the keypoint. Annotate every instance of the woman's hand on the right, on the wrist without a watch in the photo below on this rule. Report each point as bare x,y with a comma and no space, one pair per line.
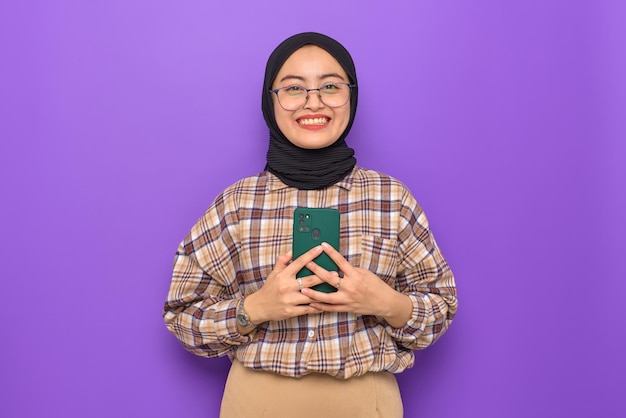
359,291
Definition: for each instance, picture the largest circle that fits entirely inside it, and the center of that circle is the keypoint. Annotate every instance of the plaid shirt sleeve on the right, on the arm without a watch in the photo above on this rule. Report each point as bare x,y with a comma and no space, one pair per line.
425,276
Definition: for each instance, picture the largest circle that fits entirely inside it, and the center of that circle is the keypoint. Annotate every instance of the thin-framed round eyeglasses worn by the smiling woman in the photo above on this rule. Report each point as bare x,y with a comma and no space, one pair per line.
295,97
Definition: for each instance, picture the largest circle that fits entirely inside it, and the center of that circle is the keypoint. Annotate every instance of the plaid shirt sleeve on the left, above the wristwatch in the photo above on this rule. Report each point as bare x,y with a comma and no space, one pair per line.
201,306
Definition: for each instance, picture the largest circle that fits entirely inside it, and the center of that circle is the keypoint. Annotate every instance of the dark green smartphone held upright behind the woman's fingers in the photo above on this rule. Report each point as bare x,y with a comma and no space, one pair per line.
311,227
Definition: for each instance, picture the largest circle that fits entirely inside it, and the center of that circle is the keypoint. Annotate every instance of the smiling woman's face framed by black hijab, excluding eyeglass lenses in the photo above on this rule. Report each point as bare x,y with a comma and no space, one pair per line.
315,125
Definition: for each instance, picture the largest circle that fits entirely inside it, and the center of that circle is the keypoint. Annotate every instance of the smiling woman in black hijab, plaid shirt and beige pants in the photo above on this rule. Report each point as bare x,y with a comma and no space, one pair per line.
297,351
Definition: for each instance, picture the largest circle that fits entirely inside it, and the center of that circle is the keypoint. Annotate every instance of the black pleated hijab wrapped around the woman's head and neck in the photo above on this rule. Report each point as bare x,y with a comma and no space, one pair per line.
298,167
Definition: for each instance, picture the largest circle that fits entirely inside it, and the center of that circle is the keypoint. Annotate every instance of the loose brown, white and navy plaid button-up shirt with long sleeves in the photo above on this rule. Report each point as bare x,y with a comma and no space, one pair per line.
234,246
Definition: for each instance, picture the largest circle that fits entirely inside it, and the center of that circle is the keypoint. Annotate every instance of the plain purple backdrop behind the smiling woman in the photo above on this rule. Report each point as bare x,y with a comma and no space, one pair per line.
121,120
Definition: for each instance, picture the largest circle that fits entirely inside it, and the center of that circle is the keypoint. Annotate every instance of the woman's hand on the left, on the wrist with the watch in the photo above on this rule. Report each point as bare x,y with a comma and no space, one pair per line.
280,296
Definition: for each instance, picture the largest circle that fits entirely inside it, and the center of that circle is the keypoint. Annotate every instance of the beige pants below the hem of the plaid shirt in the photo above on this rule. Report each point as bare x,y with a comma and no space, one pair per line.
251,394
